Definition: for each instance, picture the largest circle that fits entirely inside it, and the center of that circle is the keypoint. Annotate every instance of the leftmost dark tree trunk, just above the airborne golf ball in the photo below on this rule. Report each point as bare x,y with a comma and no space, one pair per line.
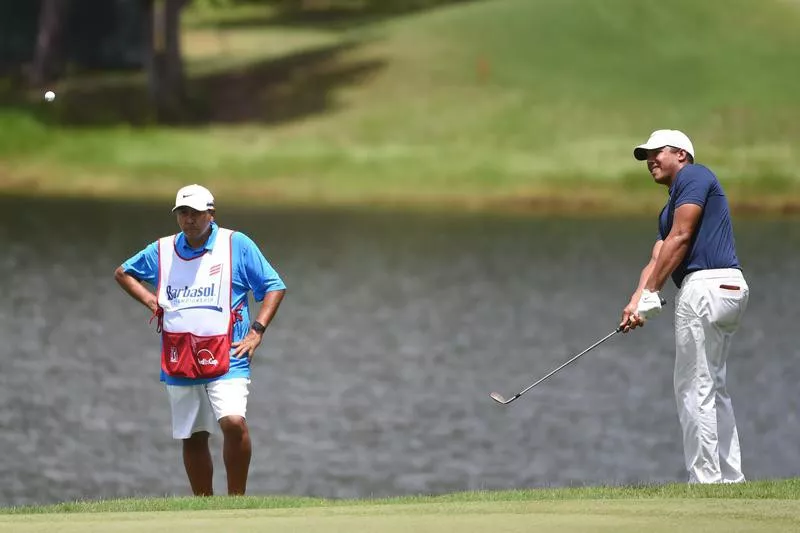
48,58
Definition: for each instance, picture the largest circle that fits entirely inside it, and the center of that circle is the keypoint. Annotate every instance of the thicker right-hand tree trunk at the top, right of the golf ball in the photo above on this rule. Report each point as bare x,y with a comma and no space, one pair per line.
164,61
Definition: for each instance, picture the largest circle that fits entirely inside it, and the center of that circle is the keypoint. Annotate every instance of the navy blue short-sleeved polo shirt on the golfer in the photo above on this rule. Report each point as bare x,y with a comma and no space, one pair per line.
712,244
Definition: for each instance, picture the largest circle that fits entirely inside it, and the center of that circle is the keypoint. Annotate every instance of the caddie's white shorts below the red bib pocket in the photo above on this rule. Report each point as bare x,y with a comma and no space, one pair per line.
197,408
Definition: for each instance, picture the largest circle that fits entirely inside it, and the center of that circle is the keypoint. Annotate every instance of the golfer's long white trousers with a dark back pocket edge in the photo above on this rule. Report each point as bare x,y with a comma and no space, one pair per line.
708,310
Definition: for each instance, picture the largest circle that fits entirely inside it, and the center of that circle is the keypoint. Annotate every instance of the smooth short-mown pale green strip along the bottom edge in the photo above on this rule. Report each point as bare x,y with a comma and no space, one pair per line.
507,517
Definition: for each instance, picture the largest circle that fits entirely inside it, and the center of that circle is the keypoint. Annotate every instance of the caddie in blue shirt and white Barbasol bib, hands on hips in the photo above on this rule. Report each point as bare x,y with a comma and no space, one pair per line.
203,276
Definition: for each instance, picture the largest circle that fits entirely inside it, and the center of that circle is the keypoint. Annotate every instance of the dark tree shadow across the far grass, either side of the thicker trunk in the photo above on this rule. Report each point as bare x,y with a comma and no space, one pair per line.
266,92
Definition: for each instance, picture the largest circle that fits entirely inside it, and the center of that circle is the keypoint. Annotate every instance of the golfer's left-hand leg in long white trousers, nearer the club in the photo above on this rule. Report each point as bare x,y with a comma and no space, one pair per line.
694,388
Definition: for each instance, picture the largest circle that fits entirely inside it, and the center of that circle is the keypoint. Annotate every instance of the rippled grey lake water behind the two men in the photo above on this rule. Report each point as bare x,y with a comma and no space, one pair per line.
374,378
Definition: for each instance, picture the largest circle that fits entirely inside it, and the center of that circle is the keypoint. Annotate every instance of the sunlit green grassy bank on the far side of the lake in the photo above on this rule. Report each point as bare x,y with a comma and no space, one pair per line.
510,104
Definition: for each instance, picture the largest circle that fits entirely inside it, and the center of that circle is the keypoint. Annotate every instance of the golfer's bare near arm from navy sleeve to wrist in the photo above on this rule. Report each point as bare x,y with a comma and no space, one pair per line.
676,245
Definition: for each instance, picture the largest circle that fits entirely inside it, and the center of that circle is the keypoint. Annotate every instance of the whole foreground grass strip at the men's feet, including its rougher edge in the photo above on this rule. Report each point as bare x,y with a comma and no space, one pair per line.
764,506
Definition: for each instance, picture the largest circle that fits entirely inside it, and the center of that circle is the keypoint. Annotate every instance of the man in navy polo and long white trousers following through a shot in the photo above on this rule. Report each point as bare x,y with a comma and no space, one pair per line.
695,245
